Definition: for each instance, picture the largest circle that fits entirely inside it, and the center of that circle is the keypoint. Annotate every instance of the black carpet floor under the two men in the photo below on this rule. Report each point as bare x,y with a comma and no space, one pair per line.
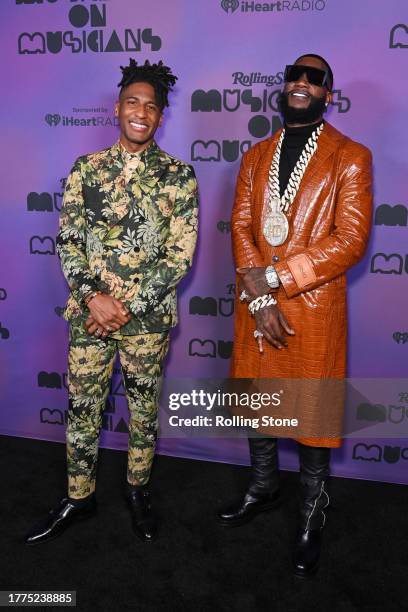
195,564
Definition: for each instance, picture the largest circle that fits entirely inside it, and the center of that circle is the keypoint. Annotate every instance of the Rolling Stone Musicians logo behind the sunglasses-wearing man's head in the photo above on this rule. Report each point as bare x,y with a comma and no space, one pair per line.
259,125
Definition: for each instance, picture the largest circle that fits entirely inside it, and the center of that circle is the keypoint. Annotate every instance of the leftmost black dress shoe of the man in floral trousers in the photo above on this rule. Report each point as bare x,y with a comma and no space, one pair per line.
59,519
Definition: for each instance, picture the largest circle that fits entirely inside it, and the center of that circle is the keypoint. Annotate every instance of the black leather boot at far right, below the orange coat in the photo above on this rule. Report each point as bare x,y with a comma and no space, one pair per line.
314,499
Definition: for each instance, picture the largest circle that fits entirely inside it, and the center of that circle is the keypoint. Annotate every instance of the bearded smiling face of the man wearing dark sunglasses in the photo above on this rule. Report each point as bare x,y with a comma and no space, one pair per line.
302,102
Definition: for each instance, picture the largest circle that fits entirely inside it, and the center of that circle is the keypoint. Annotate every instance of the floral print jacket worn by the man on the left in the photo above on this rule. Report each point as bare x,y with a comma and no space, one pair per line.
131,235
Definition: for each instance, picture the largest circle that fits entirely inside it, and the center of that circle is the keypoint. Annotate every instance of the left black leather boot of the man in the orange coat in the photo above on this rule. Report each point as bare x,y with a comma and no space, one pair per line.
263,489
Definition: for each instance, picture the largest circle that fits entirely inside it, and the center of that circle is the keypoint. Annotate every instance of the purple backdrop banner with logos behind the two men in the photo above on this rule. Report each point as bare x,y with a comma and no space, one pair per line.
60,72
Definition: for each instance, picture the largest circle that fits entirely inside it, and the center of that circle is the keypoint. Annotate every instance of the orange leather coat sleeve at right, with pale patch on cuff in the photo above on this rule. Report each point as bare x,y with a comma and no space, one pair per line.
346,244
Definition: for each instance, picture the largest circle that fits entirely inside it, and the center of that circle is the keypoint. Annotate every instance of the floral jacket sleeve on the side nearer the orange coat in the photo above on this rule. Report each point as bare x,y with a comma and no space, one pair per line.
177,253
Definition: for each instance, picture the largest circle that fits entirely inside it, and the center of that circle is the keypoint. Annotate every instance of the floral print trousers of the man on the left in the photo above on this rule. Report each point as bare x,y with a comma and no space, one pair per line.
90,367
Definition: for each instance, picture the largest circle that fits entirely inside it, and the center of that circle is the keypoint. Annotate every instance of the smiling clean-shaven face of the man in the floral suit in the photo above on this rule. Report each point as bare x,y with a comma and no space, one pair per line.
139,116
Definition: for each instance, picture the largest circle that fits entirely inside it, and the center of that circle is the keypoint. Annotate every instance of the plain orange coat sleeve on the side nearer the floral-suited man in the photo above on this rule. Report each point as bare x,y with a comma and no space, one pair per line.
246,253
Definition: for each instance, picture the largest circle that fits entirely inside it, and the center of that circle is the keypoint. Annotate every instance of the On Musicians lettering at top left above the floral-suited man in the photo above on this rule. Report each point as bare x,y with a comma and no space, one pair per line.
89,34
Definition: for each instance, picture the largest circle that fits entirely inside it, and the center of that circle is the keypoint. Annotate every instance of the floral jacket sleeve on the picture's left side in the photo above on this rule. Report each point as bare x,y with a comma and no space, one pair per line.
71,238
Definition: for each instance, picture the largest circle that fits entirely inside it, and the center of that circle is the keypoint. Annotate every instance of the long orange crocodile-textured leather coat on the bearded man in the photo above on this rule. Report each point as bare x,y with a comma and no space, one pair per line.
329,225
